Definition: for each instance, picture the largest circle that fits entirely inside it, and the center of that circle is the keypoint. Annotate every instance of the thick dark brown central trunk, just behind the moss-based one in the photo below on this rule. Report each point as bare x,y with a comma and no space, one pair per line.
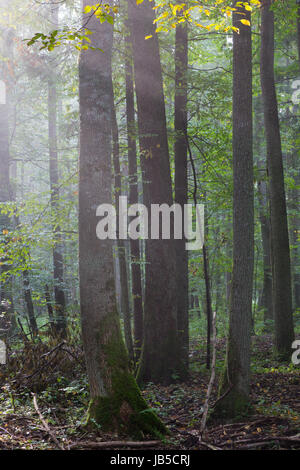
160,355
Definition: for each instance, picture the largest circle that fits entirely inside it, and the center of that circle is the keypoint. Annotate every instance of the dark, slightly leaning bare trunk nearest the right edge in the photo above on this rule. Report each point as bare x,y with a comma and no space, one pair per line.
281,269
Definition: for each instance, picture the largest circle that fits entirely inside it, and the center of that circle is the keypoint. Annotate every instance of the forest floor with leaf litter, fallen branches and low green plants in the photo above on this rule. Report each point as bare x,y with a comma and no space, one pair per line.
44,403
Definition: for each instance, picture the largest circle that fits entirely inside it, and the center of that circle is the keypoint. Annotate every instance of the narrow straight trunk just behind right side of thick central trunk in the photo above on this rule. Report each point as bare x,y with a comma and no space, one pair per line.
181,189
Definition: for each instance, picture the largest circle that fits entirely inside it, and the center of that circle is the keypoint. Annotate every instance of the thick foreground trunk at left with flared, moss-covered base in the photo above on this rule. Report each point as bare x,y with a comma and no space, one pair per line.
116,403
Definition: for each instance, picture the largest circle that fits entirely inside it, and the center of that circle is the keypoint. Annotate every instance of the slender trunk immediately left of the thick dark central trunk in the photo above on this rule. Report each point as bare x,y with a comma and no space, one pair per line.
138,315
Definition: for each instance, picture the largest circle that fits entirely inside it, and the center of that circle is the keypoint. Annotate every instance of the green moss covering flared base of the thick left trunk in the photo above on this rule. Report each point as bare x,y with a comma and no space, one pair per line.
123,408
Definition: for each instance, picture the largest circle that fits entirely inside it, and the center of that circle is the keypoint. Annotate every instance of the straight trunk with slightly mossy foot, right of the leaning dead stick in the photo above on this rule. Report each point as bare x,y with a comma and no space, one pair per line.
236,379
